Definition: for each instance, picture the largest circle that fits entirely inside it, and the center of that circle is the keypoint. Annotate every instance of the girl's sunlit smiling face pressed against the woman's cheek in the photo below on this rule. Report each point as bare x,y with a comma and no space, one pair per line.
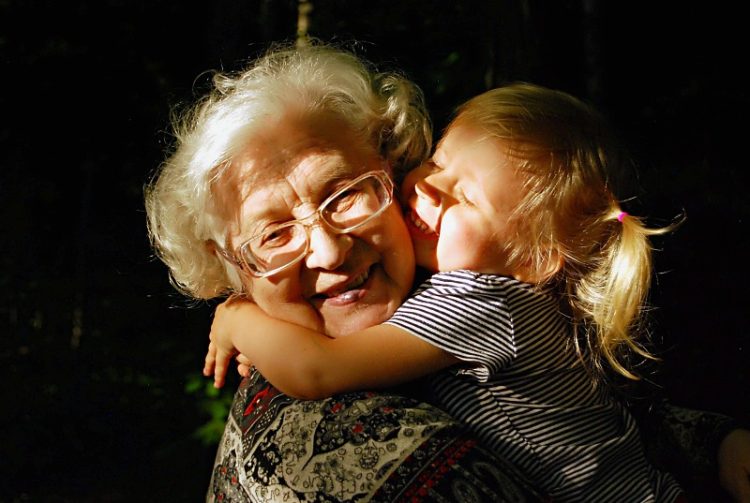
458,205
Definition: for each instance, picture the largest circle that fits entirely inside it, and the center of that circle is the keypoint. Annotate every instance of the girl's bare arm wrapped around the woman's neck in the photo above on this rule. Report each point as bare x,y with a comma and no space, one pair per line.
306,364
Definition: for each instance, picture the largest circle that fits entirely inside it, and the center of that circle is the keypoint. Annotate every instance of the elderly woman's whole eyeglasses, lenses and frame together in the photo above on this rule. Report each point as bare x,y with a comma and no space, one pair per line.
350,207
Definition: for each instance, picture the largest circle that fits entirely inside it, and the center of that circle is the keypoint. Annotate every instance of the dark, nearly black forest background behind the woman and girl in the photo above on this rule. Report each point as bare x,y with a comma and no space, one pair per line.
102,399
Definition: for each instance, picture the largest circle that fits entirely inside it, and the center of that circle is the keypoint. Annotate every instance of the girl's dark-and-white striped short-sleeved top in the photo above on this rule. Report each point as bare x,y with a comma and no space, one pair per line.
523,391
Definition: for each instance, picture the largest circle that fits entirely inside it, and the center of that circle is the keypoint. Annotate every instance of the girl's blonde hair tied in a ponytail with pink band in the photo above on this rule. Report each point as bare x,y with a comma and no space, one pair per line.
569,225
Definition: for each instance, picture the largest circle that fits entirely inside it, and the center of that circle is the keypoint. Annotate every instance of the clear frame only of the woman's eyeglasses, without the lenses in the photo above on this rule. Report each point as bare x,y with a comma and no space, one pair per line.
248,262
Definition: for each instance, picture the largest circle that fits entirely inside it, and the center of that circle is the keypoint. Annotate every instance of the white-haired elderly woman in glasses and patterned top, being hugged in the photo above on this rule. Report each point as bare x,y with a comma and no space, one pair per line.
255,201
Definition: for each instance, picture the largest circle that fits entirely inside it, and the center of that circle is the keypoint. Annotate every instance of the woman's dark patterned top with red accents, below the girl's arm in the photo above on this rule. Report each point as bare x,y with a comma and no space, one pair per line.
353,447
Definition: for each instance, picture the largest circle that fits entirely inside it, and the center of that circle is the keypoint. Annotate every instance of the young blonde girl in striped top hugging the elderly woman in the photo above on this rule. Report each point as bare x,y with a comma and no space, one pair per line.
541,282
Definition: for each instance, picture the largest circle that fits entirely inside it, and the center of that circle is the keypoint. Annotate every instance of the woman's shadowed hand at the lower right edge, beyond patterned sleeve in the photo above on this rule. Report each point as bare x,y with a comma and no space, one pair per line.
734,464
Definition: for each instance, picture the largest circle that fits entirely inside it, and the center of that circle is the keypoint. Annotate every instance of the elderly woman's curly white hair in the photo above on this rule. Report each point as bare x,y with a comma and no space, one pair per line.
185,215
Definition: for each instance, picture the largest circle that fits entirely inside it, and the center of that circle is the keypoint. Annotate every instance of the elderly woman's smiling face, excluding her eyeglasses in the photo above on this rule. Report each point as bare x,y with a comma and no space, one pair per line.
346,282
